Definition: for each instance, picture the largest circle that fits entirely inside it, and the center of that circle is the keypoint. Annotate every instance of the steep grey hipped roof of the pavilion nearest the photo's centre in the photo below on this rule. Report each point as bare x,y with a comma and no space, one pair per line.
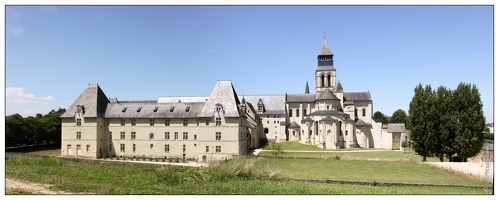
224,94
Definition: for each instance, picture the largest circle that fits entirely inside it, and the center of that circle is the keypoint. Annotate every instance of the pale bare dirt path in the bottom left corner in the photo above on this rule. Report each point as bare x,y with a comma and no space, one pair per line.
33,188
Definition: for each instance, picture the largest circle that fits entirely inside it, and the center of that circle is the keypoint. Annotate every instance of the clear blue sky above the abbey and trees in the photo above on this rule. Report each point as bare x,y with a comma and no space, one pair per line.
144,52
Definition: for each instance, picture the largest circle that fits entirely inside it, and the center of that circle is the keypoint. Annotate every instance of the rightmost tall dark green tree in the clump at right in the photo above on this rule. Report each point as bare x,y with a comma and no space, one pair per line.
470,121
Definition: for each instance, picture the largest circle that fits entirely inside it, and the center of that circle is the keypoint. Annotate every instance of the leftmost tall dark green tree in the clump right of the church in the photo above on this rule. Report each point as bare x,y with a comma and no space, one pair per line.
419,123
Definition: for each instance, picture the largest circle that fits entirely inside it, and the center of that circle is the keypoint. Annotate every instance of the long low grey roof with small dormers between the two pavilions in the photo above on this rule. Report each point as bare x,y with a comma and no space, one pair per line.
117,110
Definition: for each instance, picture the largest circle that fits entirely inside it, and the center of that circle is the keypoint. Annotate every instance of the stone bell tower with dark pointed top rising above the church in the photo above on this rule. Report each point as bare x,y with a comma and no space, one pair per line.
325,75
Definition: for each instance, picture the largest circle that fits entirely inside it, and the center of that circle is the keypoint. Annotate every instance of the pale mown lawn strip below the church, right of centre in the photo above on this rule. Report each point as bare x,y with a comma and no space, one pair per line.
361,170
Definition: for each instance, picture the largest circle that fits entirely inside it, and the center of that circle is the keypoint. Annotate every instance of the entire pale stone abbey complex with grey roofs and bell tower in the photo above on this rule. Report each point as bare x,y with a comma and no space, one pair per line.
224,125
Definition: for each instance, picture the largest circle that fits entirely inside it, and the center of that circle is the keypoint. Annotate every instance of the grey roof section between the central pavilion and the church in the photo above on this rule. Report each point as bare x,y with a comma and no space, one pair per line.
274,104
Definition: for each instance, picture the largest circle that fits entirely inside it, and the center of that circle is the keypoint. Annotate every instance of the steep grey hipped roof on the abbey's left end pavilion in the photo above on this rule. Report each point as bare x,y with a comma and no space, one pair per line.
93,99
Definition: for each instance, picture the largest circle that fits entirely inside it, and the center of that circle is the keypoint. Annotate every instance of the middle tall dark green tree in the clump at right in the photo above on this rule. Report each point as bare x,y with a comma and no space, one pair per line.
443,123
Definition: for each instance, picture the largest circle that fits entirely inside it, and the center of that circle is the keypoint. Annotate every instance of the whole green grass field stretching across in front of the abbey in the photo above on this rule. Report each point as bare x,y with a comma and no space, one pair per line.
101,177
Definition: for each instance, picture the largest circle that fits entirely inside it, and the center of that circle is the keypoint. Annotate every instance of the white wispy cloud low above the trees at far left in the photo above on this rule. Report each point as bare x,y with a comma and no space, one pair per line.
18,101
